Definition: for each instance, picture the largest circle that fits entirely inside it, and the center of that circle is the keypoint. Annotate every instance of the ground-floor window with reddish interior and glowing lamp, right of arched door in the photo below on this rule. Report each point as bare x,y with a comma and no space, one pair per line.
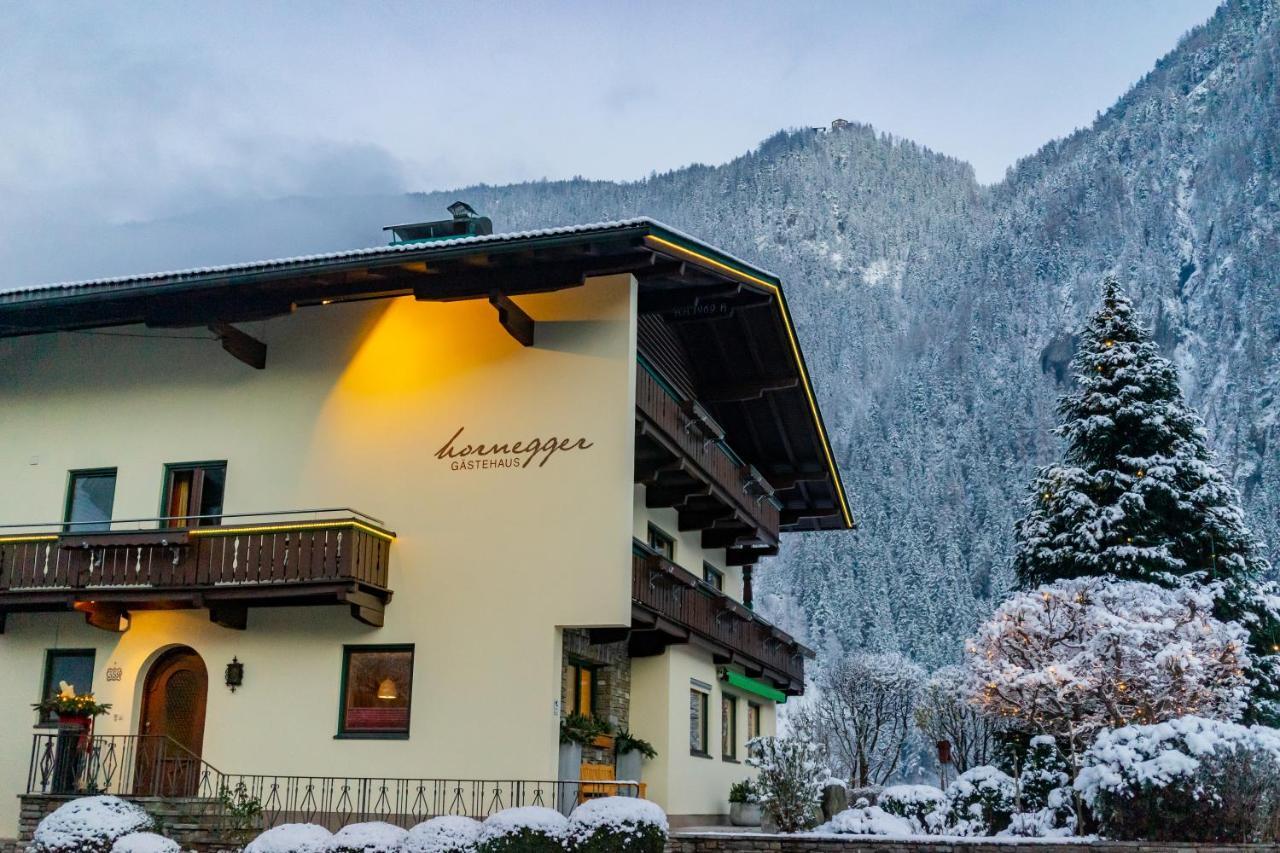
377,687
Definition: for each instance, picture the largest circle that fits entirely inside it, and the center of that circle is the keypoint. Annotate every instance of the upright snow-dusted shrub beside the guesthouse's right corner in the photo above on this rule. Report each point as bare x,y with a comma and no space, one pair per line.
790,782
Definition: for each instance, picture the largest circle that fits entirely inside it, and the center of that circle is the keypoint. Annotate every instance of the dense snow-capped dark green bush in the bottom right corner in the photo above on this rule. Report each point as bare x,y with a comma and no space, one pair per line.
1187,781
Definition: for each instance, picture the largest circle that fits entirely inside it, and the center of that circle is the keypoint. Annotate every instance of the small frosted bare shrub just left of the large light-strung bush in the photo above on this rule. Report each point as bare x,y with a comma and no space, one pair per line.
945,713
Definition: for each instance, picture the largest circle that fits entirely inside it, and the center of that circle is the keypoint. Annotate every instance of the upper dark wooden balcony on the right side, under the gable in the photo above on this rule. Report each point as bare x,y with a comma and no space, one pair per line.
684,463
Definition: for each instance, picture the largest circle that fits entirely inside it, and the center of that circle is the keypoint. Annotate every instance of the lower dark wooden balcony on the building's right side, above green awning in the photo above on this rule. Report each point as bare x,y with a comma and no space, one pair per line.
671,605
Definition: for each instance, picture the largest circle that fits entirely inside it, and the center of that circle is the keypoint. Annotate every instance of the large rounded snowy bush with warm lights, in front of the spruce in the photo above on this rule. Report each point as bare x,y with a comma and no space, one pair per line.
1078,656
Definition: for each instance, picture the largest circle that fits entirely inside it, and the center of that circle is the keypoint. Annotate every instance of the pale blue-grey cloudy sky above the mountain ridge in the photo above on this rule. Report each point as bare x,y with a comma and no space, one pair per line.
120,112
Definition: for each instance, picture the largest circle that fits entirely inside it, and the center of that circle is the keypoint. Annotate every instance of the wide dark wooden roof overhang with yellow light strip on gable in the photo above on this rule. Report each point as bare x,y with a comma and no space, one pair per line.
729,321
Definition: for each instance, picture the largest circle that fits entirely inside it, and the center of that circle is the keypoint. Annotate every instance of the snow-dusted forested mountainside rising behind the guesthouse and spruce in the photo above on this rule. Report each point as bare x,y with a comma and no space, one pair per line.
938,314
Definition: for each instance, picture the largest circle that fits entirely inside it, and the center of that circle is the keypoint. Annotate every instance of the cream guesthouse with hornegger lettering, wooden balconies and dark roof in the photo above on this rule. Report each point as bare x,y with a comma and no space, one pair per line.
353,528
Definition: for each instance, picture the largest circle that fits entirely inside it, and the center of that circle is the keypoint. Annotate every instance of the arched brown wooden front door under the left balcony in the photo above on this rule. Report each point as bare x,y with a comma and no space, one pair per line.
173,726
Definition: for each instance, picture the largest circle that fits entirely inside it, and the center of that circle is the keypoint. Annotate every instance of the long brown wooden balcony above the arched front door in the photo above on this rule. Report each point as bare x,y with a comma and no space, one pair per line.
226,569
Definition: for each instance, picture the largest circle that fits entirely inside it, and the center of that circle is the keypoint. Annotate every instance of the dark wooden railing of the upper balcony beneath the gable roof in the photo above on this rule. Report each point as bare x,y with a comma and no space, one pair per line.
693,439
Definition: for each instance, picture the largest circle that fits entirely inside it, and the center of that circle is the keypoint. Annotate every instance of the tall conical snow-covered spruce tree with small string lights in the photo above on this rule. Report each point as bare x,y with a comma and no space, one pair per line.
1139,495
